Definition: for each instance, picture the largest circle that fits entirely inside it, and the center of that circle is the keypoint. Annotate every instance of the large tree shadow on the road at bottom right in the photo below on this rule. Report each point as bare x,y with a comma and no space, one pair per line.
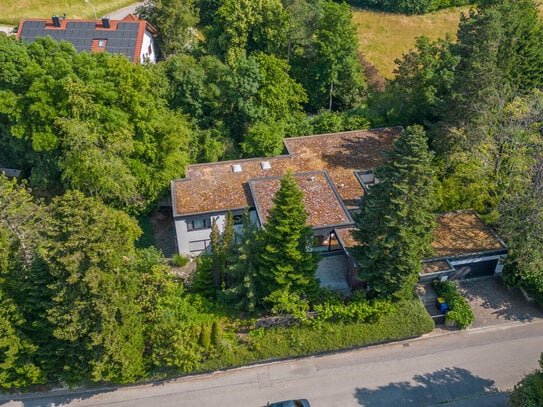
441,387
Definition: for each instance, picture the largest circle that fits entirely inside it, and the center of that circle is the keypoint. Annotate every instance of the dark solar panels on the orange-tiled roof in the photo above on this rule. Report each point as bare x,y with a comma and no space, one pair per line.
80,34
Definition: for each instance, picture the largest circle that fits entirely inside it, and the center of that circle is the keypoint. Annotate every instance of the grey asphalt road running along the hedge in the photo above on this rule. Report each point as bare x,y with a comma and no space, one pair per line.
471,368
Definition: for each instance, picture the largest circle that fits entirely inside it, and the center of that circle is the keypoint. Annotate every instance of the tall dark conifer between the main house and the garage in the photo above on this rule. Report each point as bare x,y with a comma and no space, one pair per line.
395,223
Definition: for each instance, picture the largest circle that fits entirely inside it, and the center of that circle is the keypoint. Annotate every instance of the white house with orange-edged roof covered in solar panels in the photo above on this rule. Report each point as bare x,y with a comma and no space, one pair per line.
130,36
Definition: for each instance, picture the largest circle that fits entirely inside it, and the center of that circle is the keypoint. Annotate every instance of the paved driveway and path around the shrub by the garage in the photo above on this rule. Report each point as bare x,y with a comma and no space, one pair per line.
491,301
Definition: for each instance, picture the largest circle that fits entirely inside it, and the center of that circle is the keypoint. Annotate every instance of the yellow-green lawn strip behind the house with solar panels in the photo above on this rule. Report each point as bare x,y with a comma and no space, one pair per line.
11,11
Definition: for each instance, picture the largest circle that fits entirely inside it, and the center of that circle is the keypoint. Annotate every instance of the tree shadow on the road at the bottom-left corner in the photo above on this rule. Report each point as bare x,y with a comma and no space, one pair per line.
52,398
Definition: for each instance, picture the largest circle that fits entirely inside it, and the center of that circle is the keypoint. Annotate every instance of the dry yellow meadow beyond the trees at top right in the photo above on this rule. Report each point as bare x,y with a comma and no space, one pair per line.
384,37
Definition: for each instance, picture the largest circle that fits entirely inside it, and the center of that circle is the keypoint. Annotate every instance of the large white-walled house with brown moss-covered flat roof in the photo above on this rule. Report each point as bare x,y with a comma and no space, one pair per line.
325,167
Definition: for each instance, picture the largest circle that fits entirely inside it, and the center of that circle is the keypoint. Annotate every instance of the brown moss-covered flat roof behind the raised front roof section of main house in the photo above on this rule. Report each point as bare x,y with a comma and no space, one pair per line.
215,187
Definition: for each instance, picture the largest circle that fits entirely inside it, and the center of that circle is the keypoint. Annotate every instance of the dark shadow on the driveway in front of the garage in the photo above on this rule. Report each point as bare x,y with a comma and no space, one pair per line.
505,303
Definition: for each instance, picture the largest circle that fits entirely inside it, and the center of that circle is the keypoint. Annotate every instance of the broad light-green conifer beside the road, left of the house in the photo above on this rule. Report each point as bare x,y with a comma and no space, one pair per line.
94,315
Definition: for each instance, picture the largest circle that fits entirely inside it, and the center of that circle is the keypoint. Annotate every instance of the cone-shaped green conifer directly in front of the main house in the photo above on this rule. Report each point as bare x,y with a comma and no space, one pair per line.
286,262
